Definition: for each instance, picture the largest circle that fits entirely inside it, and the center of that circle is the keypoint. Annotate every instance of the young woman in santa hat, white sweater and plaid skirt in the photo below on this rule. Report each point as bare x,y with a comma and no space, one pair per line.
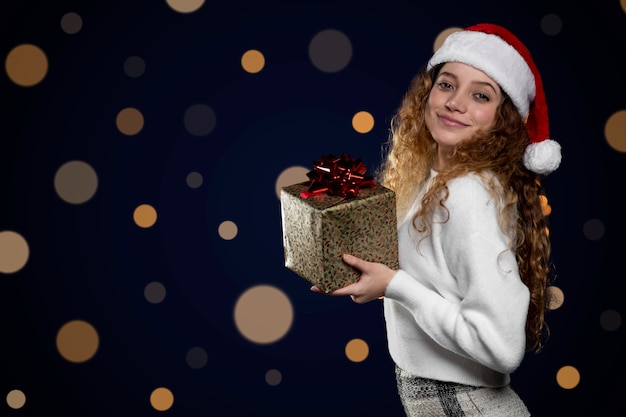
468,147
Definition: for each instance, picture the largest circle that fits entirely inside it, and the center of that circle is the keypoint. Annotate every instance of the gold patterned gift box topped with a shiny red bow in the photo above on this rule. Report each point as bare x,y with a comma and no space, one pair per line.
338,211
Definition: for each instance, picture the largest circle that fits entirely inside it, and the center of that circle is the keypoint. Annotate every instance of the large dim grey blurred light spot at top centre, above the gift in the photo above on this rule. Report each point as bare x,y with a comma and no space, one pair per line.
330,50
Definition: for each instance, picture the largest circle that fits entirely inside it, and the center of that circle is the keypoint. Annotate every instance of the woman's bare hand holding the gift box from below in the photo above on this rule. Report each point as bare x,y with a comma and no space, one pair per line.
371,285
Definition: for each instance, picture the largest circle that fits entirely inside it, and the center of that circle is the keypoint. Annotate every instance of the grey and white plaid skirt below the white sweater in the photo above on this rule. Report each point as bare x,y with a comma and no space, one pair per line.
427,397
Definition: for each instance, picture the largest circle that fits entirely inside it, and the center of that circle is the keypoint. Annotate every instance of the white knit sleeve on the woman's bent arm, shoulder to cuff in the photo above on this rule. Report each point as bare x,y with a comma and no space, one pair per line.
474,304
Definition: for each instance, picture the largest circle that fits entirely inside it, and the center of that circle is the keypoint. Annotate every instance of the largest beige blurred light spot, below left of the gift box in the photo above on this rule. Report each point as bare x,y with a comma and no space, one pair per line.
263,314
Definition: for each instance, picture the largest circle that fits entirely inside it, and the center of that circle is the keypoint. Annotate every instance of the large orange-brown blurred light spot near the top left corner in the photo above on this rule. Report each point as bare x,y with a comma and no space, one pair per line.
26,65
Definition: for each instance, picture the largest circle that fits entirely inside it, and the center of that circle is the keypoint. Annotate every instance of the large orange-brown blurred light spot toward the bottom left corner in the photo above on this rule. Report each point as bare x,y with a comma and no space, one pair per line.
77,341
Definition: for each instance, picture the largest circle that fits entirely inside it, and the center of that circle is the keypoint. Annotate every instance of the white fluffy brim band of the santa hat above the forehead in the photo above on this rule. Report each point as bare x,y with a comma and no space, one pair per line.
496,58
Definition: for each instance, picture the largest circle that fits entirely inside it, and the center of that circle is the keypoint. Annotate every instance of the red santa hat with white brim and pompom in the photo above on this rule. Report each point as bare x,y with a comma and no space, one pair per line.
499,54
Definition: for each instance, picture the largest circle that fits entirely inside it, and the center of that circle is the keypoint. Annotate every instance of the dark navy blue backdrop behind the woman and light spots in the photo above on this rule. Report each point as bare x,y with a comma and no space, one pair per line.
92,262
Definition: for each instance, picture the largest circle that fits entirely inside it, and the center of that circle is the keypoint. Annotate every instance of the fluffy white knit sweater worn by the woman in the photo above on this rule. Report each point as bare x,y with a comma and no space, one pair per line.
456,309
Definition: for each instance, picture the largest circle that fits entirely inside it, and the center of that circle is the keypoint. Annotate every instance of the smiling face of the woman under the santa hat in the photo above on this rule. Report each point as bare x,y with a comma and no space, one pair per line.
462,101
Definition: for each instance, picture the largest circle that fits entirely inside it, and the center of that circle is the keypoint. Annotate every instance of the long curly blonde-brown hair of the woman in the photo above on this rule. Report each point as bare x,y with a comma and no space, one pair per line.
496,156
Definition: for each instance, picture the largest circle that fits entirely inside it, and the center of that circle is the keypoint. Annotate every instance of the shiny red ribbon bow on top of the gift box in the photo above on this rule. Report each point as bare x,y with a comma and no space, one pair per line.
342,176
